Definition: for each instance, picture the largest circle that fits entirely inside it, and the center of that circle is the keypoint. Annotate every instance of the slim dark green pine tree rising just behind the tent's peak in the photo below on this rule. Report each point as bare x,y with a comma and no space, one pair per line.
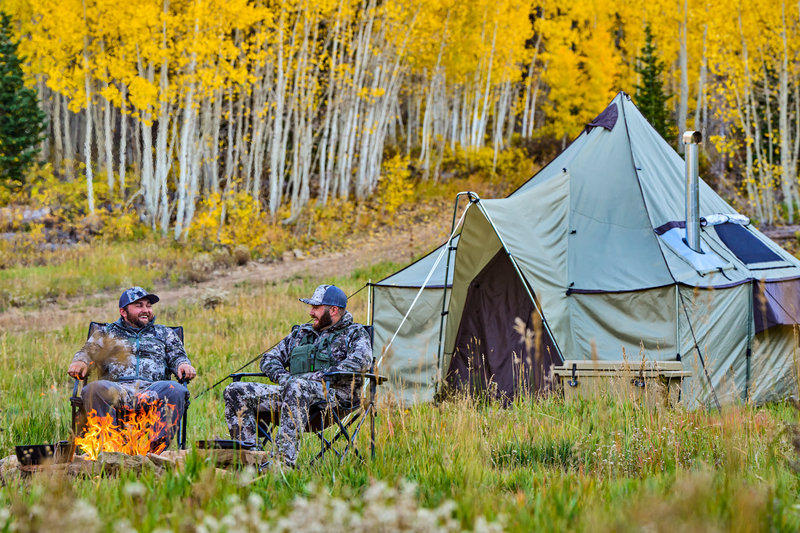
651,99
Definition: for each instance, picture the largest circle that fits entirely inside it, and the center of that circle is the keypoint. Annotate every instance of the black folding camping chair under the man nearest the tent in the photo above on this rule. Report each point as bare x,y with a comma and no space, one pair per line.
325,413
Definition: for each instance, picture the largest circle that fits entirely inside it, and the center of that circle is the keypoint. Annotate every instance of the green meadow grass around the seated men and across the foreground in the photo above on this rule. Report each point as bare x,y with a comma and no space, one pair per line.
537,466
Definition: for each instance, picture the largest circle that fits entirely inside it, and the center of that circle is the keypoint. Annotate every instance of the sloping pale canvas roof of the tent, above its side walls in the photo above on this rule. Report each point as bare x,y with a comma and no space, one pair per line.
624,181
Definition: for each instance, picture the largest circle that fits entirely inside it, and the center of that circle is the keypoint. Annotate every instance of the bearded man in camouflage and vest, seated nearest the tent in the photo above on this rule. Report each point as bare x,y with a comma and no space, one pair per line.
332,342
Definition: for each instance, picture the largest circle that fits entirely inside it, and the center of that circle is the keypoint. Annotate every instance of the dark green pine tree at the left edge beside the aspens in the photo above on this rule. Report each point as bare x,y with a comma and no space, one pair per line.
22,123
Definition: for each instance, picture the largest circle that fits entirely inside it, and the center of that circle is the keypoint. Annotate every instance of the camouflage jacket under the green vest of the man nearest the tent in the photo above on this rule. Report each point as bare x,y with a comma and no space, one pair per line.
351,350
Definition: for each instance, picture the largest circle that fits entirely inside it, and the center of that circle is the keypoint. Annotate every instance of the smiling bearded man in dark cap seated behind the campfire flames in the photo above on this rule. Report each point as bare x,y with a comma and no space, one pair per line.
133,357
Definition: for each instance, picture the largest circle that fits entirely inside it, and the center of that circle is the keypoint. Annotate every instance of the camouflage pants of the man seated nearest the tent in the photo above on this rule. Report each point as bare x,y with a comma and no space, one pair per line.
245,402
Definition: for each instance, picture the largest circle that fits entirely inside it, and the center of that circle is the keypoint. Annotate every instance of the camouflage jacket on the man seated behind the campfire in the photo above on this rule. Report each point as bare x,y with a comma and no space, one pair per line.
123,353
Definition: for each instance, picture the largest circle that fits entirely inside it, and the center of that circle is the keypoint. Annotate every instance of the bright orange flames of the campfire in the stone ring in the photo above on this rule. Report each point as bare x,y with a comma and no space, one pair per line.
132,436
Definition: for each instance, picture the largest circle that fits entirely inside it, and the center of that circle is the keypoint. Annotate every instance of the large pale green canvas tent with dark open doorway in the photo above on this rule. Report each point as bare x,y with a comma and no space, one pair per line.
596,237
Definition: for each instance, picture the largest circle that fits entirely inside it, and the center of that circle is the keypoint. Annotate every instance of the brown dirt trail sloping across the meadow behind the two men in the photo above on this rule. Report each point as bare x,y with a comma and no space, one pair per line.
391,244
